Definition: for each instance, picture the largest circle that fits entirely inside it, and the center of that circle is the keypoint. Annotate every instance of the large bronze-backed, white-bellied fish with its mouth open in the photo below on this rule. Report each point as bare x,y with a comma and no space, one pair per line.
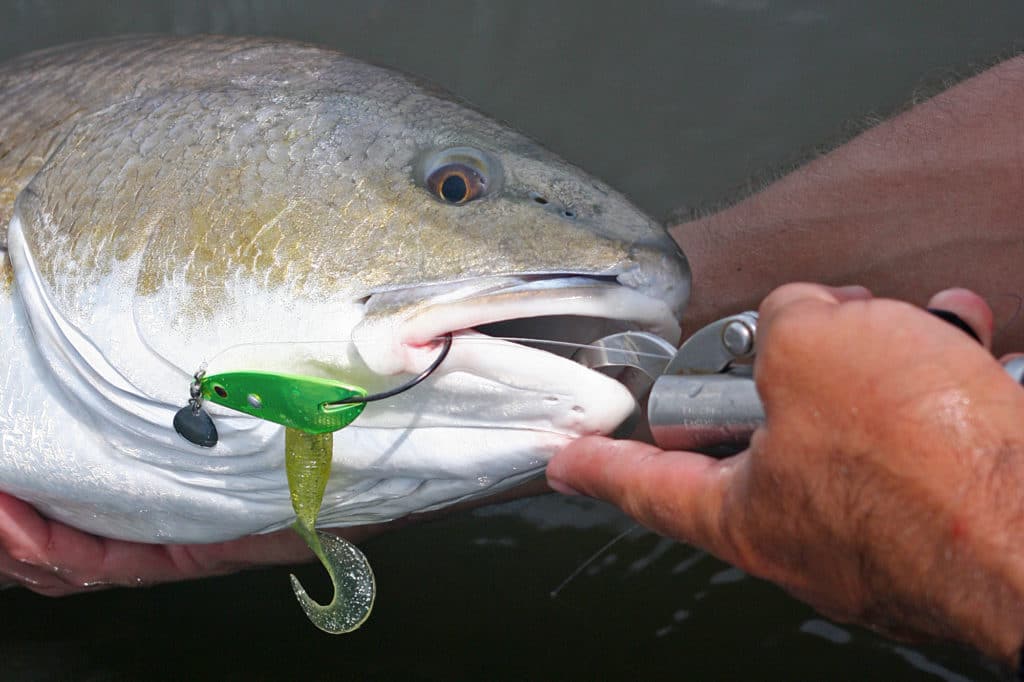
247,204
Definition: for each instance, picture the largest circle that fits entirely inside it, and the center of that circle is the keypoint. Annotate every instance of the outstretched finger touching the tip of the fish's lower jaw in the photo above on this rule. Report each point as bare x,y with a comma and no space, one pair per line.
676,494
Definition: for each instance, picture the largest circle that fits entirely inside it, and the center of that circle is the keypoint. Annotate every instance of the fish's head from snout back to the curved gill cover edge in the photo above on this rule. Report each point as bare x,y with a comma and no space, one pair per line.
337,221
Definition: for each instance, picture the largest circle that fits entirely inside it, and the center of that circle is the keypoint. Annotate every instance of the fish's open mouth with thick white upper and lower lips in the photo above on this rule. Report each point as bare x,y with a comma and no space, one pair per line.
515,336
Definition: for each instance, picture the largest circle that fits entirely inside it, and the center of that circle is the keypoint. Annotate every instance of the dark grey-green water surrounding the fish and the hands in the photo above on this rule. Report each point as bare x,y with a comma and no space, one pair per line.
678,105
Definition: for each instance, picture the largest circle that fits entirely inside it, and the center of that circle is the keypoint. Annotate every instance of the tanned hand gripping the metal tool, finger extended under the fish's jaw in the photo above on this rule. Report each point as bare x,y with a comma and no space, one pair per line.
887,485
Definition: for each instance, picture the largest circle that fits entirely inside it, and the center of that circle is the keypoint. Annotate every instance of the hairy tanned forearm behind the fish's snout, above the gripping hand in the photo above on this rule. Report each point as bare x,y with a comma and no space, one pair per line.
932,199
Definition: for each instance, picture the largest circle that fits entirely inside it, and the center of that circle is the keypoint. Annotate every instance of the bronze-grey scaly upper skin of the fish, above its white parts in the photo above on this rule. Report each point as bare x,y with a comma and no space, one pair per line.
241,110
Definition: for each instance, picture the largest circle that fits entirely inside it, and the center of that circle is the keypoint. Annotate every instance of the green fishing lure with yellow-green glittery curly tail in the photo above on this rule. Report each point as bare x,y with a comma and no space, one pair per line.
312,410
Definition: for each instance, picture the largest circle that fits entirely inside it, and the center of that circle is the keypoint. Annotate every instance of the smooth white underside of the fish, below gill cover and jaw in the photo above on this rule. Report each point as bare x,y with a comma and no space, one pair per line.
67,467
